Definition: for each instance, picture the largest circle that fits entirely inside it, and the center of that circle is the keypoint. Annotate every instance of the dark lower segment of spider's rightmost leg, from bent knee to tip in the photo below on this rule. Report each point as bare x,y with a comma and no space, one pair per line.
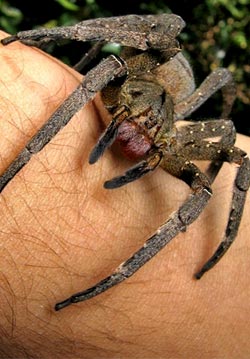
241,186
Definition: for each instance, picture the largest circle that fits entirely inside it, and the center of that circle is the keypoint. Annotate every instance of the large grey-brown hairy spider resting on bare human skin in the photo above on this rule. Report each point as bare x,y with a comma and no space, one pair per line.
147,90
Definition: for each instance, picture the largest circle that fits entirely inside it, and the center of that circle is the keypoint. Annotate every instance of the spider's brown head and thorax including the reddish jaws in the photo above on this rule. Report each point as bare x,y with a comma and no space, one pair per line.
141,109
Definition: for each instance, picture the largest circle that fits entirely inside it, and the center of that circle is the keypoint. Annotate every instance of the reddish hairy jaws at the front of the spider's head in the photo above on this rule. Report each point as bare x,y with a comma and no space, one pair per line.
134,144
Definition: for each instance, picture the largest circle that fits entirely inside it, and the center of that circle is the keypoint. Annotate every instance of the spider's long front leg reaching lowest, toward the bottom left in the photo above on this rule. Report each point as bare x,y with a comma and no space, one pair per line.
177,222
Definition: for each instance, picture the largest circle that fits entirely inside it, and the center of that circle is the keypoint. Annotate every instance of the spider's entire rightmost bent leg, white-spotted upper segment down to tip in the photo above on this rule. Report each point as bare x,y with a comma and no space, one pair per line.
219,152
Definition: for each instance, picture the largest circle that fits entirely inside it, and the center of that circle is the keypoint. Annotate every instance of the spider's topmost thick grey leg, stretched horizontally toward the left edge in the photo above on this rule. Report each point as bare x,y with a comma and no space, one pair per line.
141,32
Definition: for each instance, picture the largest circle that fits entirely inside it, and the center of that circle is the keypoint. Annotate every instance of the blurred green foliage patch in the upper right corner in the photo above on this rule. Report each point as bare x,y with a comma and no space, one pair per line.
220,38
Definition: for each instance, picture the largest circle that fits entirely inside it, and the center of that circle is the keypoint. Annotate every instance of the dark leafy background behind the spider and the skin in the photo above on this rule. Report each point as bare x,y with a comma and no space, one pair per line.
217,34
